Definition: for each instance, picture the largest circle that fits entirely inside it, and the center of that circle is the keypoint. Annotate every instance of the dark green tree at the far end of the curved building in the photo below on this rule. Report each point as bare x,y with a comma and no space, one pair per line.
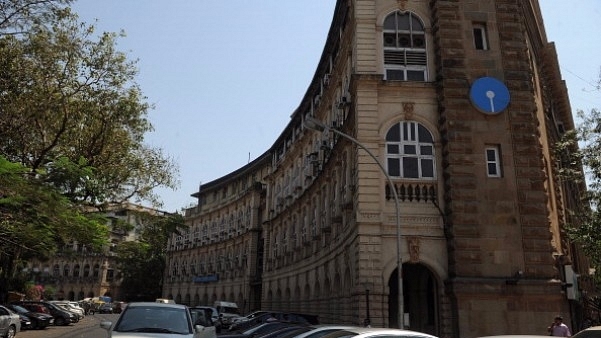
143,262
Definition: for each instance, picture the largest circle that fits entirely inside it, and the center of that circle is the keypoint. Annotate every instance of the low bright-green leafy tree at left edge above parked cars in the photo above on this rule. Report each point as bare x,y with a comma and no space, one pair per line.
36,220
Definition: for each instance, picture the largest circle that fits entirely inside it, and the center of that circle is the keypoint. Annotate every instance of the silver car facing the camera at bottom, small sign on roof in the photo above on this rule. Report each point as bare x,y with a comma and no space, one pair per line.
146,319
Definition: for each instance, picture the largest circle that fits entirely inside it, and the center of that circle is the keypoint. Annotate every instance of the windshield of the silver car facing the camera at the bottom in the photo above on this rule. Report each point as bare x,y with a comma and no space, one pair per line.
154,319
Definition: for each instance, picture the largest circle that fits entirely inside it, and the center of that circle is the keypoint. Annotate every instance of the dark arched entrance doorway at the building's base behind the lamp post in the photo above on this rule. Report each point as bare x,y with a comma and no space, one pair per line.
420,299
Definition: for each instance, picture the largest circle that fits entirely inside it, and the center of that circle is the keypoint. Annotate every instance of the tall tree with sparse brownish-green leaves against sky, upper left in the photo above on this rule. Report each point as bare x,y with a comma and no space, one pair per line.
65,96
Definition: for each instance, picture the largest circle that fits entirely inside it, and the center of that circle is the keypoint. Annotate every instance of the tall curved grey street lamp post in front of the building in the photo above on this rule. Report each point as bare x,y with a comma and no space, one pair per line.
316,125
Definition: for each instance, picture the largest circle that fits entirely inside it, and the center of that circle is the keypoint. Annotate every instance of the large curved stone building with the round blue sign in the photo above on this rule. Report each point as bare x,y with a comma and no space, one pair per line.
441,118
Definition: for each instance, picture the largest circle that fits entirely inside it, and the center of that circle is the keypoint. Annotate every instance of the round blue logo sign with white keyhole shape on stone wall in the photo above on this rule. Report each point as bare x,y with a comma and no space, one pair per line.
489,95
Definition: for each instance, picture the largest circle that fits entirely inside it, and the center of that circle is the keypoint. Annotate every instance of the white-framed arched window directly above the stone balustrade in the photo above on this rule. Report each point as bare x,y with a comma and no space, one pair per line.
410,151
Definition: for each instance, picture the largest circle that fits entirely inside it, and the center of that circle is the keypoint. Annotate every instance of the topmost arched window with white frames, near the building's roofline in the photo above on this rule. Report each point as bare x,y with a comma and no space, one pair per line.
404,41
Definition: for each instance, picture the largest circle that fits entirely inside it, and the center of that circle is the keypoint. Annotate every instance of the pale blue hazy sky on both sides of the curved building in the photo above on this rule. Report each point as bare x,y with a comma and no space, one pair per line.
225,76
